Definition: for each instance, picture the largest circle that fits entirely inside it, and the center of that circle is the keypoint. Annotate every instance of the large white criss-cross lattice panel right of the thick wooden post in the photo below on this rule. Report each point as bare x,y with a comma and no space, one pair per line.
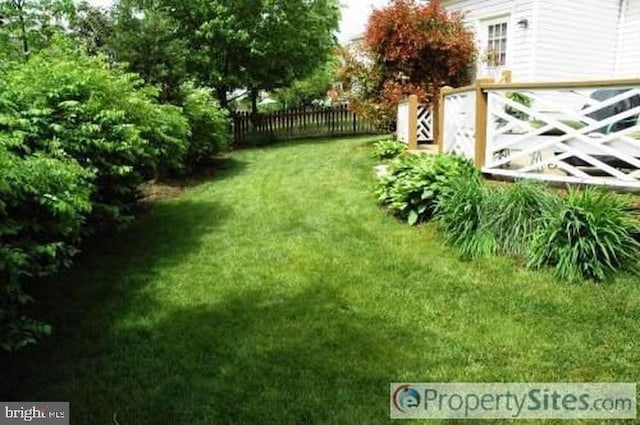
578,134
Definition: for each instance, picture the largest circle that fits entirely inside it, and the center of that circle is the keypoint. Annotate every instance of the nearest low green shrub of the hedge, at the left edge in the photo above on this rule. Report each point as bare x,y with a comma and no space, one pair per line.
43,205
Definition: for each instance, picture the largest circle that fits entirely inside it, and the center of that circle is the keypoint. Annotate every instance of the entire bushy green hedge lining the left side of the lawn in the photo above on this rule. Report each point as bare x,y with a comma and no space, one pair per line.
77,138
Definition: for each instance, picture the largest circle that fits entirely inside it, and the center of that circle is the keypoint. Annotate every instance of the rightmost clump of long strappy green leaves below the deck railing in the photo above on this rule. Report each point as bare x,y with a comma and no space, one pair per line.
586,236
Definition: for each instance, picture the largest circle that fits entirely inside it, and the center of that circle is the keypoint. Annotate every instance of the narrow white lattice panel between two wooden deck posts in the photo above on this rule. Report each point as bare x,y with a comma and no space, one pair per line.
459,123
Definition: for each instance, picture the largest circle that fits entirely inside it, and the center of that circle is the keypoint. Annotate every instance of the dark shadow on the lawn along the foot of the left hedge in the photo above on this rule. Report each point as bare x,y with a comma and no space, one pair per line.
108,280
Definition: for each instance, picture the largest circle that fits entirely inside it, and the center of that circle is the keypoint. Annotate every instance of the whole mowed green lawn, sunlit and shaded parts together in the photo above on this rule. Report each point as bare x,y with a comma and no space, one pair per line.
278,292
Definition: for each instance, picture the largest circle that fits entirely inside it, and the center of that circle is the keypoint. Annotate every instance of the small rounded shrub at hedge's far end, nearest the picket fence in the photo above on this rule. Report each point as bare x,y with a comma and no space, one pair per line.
209,125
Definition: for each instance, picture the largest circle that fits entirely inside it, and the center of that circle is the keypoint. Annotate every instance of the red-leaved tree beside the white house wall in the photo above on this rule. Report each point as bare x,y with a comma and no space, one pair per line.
411,48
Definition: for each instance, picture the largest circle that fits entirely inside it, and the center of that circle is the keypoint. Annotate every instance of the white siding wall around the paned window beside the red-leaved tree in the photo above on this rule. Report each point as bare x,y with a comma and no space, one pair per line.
520,55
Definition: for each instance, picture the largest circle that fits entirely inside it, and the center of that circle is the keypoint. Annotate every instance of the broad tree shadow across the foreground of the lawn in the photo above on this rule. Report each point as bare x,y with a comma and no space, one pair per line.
253,358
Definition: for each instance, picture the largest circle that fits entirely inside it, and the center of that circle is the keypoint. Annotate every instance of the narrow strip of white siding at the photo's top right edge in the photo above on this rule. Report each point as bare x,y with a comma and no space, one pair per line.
629,56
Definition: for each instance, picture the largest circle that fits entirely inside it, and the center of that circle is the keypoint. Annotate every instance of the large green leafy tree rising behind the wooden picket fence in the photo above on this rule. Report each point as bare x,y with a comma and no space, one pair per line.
249,44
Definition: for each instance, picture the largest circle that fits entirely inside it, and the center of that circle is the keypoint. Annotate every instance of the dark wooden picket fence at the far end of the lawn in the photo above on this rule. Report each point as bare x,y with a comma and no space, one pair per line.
250,129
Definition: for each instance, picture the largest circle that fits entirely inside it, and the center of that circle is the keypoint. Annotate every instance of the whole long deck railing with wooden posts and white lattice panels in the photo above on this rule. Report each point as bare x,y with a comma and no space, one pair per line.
571,132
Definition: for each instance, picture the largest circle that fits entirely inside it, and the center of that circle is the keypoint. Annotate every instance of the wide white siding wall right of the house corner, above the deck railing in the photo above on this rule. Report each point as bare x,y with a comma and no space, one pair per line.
576,39
